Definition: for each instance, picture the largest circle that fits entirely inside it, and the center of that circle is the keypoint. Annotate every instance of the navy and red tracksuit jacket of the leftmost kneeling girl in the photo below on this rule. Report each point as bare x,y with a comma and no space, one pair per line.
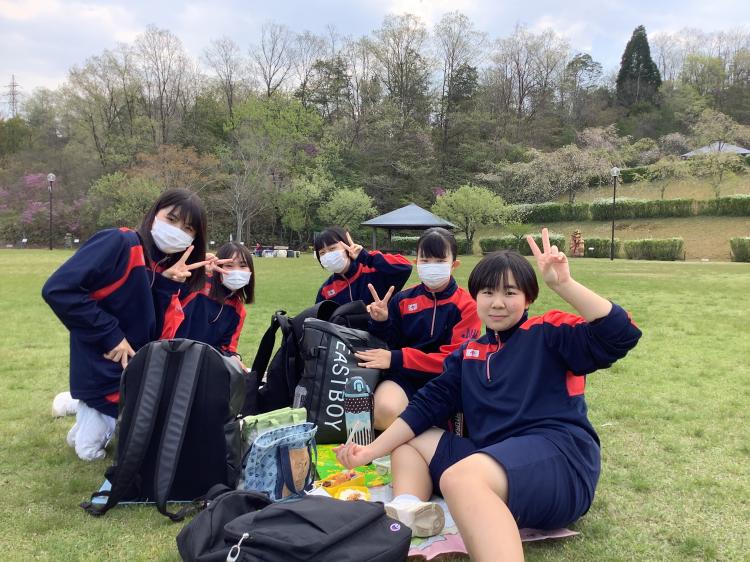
102,295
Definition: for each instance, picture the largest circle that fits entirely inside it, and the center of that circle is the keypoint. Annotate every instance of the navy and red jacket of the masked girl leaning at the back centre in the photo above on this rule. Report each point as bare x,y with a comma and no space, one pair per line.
382,270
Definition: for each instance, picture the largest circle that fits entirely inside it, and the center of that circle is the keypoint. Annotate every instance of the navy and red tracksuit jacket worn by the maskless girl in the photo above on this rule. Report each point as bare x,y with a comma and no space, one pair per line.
529,380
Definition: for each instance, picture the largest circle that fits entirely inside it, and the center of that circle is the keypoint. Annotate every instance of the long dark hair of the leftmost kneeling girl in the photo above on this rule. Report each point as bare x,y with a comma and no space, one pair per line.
189,207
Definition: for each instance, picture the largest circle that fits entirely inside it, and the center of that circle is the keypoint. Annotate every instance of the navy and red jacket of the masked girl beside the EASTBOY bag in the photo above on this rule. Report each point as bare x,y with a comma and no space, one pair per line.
423,328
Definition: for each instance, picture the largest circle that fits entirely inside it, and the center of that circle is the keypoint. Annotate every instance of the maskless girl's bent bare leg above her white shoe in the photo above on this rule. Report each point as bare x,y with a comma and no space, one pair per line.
410,462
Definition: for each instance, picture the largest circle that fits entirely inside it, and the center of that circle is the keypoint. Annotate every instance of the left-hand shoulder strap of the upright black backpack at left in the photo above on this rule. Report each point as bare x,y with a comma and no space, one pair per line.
130,457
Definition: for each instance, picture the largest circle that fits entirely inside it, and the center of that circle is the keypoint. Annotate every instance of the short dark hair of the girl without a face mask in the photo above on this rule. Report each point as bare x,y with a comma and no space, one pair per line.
492,272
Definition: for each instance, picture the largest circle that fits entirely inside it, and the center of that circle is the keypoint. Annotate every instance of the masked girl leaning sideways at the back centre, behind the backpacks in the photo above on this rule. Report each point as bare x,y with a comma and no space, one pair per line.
353,268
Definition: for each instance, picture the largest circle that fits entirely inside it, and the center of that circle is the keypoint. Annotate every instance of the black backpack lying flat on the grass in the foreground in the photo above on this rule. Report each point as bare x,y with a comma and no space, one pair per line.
241,526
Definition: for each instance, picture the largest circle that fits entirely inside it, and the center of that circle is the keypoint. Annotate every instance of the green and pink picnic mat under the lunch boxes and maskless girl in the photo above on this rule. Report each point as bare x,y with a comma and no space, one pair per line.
447,542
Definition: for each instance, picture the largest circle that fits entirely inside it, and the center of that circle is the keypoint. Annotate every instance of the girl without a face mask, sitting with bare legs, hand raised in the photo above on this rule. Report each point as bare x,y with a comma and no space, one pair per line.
533,458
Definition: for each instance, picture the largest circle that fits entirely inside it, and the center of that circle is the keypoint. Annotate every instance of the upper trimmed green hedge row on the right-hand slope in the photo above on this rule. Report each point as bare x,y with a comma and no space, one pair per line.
626,208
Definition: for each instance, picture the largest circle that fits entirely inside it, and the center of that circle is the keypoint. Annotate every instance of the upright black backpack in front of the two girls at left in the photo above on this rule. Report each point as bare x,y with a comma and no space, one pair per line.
178,429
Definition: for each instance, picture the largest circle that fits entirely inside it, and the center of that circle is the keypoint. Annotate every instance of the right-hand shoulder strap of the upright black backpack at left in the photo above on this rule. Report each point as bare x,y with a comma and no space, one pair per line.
175,426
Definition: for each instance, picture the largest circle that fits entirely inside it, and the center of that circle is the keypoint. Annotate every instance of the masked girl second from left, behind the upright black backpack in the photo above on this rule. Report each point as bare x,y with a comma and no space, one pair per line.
215,315
